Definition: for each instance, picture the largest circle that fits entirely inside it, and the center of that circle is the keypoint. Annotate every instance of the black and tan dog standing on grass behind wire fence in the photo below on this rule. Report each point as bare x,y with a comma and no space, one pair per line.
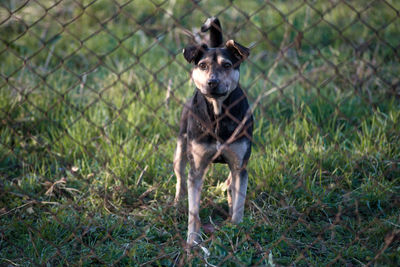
216,125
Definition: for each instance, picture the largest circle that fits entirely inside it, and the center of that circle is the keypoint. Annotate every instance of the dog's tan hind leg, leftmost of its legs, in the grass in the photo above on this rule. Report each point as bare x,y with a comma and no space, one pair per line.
180,161
